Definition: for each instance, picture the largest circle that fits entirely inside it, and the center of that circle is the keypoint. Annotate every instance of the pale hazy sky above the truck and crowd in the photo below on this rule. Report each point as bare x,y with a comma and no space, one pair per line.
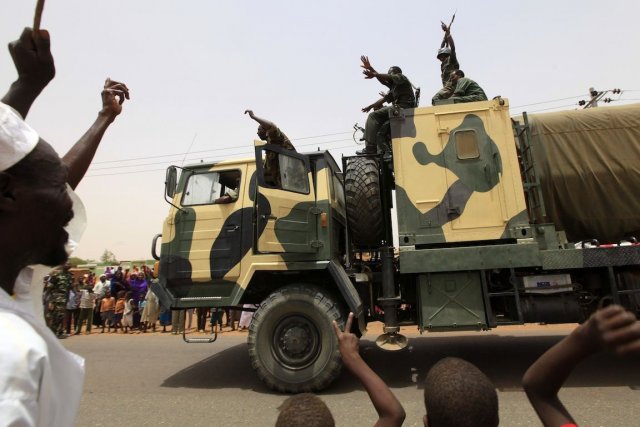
194,66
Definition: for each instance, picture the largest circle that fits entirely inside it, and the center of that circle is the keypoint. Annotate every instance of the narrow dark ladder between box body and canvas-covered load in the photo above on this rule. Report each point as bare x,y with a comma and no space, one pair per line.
535,202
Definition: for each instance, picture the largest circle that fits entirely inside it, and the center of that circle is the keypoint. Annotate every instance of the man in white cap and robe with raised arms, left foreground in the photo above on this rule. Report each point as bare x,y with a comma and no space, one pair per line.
40,381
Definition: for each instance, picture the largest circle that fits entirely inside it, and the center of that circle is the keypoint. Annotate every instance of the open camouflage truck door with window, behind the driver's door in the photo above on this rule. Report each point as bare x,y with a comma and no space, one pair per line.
285,203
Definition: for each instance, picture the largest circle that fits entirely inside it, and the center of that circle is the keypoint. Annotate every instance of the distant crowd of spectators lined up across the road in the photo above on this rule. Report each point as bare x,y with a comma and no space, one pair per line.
121,300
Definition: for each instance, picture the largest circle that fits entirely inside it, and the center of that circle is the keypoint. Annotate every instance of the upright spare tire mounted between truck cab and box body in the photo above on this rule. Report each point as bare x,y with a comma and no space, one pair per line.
363,202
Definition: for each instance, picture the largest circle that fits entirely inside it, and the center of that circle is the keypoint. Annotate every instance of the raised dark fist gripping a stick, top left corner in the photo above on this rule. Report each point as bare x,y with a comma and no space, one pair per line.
32,58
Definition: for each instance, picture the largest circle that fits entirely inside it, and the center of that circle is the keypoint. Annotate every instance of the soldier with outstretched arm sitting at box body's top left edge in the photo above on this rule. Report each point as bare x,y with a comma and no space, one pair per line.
376,132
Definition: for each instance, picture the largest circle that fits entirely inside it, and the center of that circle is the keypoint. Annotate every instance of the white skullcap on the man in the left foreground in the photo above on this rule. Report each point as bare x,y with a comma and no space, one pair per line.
17,139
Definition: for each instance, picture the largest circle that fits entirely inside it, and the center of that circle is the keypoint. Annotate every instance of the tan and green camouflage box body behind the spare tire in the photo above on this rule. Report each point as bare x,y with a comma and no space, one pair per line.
457,174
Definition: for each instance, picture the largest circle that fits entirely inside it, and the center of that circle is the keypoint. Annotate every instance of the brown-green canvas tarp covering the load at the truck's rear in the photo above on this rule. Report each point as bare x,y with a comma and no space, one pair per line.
588,164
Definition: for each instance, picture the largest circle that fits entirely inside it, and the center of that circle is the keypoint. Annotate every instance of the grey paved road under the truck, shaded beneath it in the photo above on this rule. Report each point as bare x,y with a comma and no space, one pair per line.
156,379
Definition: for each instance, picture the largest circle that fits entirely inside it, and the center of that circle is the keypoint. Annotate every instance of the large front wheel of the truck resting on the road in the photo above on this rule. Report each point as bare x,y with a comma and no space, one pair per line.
292,344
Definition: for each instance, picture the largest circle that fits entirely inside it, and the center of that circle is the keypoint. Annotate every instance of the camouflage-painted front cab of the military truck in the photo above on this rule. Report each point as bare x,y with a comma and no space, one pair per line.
211,253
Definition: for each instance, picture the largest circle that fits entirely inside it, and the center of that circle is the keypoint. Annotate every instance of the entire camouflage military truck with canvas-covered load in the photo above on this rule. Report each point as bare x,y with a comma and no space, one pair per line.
499,222
